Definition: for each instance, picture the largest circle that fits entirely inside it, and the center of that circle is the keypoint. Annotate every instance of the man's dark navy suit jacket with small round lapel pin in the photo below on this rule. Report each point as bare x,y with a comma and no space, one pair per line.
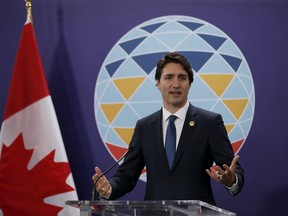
199,146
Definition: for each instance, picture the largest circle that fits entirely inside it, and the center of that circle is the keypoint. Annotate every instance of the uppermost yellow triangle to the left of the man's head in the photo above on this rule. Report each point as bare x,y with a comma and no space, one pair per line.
128,86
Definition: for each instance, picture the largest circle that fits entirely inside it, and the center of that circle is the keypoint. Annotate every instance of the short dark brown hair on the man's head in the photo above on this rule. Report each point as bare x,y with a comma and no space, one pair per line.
174,57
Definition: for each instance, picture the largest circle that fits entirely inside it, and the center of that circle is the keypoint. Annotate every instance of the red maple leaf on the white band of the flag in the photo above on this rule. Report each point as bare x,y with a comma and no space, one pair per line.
22,191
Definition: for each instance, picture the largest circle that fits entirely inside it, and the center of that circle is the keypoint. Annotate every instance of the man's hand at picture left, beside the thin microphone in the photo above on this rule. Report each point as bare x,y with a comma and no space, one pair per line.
102,186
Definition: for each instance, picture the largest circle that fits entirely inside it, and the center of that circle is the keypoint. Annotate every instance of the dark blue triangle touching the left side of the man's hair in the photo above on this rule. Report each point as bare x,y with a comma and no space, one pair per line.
148,61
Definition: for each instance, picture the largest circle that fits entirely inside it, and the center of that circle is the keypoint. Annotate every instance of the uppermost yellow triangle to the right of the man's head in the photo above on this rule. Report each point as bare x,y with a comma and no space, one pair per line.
217,82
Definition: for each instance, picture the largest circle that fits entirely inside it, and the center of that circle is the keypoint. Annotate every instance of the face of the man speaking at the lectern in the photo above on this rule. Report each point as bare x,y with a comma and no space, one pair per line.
174,86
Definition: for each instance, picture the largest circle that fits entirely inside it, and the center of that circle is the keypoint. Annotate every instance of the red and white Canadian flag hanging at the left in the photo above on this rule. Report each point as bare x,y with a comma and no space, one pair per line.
35,176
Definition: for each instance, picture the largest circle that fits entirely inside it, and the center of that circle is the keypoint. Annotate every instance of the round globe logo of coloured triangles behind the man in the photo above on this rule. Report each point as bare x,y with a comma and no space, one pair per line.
125,90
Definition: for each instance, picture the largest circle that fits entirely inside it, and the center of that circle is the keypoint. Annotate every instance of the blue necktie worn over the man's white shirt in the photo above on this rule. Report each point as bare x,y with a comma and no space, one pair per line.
170,142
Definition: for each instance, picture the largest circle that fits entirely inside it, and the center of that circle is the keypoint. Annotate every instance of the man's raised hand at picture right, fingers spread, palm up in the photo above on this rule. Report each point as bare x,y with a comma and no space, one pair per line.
227,176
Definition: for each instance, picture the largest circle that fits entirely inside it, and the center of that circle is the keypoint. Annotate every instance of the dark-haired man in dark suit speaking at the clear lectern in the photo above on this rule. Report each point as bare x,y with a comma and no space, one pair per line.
201,139
